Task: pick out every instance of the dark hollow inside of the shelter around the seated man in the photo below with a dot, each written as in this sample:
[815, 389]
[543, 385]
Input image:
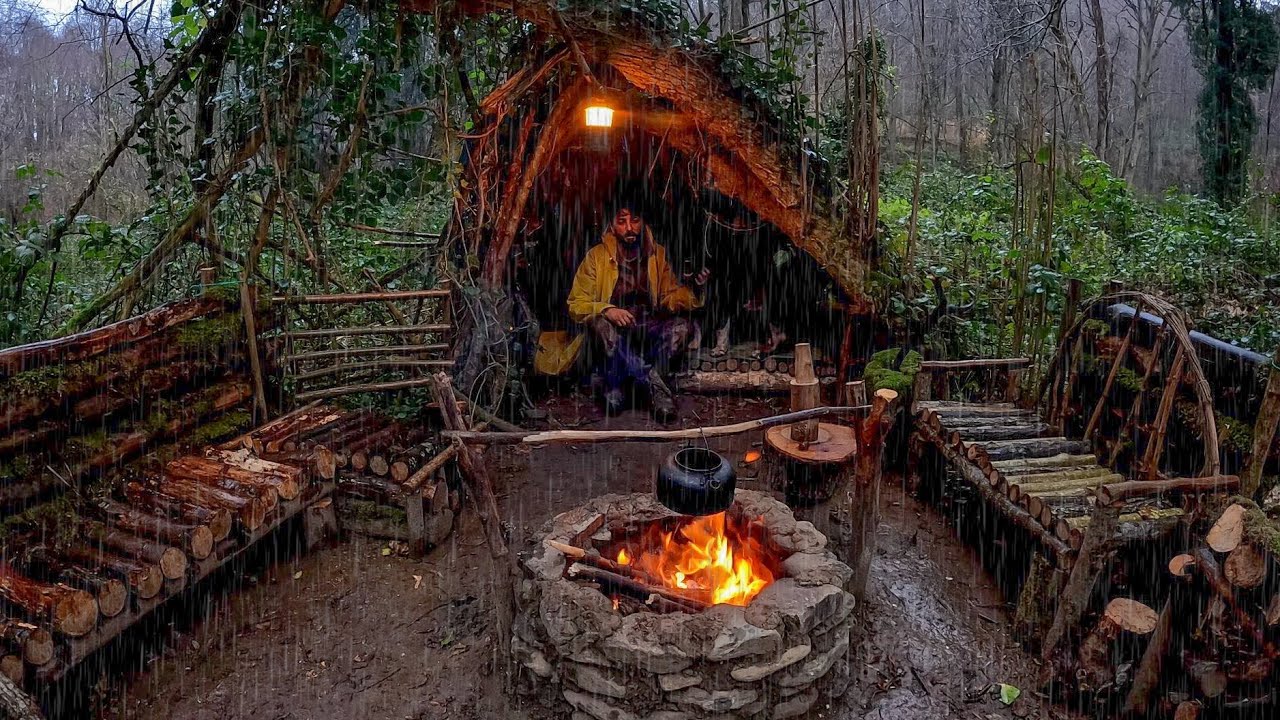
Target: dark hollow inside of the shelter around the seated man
[762, 288]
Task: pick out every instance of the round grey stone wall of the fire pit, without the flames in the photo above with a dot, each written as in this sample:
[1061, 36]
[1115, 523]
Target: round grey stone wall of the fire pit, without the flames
[775, 659]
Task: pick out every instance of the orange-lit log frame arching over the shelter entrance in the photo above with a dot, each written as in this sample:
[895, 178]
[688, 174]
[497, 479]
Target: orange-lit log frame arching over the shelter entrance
[710, 120]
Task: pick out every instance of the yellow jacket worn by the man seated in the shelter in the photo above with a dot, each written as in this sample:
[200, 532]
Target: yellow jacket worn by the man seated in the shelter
[593, 288]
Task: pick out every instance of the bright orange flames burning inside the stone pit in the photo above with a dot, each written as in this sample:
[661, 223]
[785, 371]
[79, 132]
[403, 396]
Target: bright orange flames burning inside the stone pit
[712, 558]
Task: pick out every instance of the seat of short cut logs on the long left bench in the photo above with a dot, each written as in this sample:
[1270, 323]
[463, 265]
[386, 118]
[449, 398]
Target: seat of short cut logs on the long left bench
[118, 553]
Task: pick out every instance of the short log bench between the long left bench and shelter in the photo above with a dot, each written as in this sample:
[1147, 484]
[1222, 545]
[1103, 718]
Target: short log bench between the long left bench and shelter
[388, 475]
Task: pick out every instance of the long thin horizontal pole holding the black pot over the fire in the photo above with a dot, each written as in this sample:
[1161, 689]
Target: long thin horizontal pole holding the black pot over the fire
[540, 438]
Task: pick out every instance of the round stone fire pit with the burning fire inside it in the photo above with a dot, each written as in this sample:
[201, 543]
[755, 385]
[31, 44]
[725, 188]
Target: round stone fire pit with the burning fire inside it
[630, 610]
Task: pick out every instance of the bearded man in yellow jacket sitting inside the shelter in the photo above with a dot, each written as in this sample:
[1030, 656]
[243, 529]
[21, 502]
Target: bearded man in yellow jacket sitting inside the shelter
[627, 299]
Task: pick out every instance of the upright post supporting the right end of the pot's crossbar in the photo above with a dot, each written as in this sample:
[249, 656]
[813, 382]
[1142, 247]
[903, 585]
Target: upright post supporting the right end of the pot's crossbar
[863, 496]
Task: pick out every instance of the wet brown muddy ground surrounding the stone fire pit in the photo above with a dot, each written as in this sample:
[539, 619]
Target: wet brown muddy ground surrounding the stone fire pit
[354, 632]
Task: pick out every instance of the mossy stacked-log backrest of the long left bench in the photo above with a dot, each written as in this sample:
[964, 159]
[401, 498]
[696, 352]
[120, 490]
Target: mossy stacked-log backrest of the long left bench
[72, 409]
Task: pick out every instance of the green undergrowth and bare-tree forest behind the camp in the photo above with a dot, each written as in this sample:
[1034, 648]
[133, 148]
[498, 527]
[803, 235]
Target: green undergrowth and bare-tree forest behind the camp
[1023, 143]
